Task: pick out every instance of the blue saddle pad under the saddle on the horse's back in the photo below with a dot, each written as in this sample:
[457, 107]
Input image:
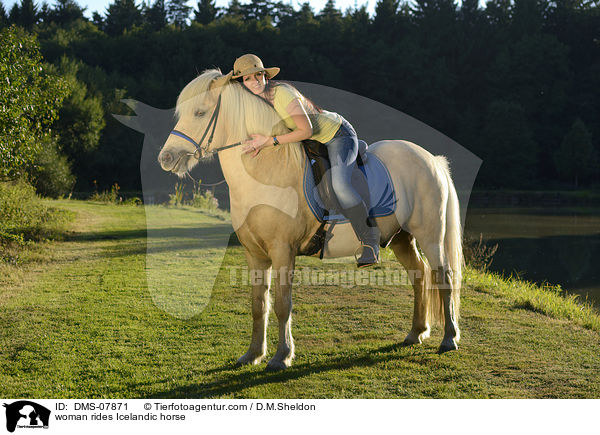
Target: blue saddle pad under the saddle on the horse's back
[380, 200]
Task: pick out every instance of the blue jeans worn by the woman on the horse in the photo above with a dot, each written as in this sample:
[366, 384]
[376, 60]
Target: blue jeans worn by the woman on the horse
[342, 150]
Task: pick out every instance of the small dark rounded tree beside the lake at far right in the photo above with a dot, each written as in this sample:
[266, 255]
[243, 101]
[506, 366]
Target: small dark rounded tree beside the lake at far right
[575, 160]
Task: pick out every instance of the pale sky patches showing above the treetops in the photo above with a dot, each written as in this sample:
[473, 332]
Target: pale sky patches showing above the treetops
[101, 5]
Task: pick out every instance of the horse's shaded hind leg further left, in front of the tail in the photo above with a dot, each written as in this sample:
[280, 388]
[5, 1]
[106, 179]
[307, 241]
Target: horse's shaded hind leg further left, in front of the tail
[404, 246]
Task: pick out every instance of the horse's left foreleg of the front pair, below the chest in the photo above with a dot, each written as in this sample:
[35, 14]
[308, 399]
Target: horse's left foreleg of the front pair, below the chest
[260, 277]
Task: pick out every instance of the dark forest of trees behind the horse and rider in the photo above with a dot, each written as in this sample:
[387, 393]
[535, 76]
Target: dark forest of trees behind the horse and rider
[514, 81]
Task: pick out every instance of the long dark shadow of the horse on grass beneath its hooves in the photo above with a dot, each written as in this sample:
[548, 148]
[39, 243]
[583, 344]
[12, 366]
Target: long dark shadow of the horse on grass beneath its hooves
[236, 380]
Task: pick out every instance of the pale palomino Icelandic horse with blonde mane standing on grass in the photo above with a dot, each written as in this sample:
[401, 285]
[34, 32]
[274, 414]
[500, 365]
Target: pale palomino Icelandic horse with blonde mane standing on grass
[274, 223]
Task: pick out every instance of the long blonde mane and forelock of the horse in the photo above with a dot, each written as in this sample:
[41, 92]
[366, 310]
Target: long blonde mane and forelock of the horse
[241, 114]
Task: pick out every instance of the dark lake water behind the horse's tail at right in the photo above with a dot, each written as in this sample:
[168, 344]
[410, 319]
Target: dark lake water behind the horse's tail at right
[552, 245]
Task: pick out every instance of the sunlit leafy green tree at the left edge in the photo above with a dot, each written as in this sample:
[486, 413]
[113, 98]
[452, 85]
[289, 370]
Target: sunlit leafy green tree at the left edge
[30, 99]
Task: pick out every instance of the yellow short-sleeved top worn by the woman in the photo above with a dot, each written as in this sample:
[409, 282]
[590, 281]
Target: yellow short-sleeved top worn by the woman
[325, 124]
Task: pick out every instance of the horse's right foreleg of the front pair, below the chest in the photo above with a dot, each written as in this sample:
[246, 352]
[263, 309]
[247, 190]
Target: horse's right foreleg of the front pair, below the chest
[283, 267]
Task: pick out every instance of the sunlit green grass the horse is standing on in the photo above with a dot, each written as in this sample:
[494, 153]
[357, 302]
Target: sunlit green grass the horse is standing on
[86, 324]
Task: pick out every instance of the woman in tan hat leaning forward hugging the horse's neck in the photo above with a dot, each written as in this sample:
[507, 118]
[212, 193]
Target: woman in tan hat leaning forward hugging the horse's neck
[307, 121]
